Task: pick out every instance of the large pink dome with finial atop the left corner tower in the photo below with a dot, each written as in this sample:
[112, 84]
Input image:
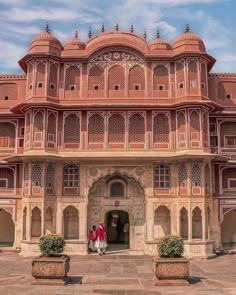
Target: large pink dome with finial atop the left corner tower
[45, 43]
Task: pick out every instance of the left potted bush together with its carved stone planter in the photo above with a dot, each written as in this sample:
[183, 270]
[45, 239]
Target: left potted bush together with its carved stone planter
[51, 267]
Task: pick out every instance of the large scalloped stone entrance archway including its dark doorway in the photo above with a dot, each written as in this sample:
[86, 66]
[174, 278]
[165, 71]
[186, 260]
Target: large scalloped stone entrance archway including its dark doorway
[118, 200]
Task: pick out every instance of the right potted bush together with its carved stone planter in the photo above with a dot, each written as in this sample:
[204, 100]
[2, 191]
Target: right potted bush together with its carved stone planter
[170, 268]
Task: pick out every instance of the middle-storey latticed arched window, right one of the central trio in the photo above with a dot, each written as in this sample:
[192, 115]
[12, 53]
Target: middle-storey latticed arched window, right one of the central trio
[136, 128]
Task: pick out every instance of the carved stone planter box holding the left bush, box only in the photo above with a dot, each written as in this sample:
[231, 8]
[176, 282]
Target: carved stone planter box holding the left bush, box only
[50, 270]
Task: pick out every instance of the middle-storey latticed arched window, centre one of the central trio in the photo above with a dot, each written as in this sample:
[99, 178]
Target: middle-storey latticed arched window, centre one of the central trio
[116, 129]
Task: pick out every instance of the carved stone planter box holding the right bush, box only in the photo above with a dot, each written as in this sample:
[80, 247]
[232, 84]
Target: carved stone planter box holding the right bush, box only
[170, 271]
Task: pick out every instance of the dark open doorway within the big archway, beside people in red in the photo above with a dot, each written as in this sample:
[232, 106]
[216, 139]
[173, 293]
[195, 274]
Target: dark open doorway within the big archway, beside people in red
[117, 225]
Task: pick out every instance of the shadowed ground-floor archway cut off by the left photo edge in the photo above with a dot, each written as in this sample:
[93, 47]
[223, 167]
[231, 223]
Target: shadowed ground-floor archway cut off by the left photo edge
[7, 229]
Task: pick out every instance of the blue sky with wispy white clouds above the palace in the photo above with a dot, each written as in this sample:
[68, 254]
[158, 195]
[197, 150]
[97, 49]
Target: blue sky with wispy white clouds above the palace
[213, 20]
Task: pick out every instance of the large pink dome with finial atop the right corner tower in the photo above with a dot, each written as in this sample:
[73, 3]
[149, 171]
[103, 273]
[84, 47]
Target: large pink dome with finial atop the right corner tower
[188, 41]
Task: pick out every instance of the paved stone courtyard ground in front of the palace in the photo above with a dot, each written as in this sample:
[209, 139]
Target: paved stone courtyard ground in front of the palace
[118, 275]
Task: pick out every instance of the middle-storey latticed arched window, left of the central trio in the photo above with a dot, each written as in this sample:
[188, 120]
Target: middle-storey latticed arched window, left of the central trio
[72, 129]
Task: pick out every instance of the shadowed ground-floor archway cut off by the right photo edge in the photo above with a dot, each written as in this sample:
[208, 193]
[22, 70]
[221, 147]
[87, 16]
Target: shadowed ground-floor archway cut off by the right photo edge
[228, 230]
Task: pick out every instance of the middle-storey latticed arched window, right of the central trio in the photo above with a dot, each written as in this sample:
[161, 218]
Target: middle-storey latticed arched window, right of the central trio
[161, 128]
